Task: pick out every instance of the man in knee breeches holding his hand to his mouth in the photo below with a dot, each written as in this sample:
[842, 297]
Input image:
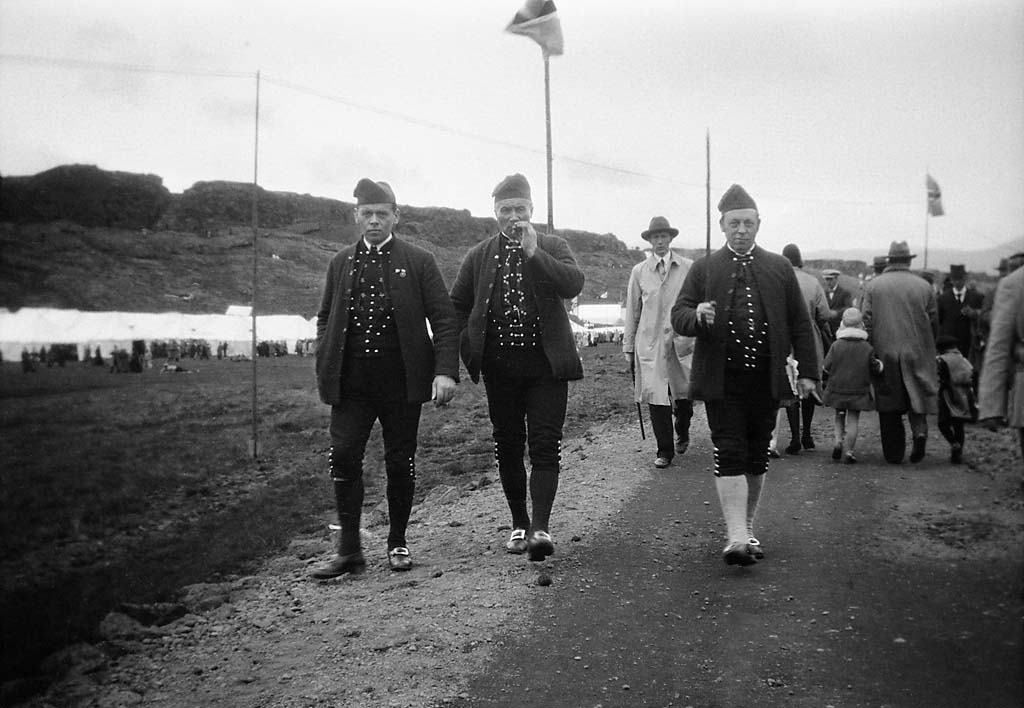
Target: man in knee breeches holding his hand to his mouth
[509, 298]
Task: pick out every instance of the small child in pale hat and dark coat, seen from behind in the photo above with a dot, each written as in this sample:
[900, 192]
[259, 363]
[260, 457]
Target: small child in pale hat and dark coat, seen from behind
[850, 364]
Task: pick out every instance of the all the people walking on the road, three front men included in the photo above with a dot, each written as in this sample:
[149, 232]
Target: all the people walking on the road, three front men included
[746, 331]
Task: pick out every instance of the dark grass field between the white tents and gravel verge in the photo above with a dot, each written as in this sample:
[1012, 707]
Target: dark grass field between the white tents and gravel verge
[121, 488]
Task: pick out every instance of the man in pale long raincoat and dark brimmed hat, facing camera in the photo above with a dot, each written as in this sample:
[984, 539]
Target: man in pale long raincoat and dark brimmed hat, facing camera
[659, 358]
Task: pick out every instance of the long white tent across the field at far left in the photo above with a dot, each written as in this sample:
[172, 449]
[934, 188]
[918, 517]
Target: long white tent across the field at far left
[32, 328]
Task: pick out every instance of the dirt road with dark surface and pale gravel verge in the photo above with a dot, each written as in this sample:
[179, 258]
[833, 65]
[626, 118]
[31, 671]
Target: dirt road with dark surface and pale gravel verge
[883, 587]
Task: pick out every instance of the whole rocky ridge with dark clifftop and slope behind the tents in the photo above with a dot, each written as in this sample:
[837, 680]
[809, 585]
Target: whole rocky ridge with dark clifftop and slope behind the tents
[77, 237]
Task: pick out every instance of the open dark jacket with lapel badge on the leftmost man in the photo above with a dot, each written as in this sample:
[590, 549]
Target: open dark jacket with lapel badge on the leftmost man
[418, 294]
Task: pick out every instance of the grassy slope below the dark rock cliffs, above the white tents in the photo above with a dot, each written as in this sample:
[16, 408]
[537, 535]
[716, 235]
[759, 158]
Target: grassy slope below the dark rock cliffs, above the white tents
[63, 265]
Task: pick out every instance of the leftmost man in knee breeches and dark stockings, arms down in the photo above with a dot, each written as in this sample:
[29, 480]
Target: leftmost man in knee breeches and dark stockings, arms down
[376, 361]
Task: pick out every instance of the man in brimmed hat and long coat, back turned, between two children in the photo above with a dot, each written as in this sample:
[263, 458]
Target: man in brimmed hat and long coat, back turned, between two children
[902, 320]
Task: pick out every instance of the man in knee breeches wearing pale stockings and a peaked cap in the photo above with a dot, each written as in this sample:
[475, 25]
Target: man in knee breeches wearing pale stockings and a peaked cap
[745, 307]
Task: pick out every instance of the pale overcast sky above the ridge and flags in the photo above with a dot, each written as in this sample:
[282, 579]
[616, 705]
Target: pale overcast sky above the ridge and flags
[829, 113]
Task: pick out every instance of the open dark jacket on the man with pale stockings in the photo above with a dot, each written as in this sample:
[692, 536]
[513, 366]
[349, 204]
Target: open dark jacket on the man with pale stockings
[712, 278]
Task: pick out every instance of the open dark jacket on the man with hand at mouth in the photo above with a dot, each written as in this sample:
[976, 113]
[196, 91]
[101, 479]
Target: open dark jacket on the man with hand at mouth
[551, 274]
